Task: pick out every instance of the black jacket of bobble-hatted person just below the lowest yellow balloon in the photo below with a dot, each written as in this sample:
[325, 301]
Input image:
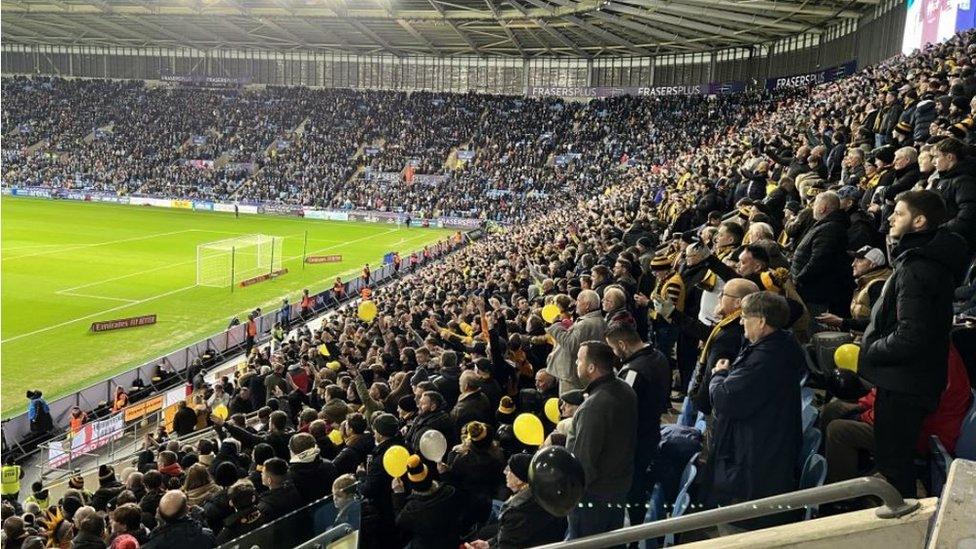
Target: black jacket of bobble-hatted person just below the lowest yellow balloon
[431, 520]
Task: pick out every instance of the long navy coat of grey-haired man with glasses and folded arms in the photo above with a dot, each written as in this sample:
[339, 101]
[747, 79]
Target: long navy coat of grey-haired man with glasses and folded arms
[757, 431]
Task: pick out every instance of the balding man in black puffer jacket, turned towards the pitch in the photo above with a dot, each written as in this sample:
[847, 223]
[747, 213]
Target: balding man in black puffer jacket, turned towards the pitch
[821, 266]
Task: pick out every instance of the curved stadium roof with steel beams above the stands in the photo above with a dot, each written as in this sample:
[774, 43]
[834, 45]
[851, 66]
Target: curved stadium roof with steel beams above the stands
[518, 28]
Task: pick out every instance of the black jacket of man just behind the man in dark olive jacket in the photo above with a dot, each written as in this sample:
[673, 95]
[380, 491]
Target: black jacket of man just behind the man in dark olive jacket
[648, 373]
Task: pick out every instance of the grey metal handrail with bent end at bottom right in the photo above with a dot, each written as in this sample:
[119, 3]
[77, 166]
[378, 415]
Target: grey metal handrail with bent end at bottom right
[894, 506]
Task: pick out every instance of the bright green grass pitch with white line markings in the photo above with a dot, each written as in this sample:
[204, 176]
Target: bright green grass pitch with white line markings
[66, 264]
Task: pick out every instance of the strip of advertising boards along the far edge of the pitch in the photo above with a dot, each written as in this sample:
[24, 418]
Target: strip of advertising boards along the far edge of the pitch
[250, 208]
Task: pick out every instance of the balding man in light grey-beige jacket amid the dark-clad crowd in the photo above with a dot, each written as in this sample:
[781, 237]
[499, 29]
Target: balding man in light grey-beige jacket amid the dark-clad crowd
[589, 326]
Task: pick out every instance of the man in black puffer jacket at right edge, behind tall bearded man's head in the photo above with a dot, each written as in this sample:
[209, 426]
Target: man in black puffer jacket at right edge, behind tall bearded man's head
[957, 185]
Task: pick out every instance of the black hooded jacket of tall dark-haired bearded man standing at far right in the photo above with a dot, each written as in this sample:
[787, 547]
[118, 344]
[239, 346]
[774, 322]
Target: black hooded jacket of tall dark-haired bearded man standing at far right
[905, 347]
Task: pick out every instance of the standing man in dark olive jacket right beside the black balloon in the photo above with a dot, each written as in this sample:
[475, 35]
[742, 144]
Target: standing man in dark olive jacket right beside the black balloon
[603, 439]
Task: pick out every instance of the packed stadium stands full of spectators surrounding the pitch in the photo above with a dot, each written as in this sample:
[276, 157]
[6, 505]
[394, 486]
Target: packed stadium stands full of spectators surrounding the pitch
[696, 251]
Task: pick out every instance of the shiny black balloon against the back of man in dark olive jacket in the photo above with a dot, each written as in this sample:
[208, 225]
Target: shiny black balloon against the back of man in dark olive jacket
[557, 480]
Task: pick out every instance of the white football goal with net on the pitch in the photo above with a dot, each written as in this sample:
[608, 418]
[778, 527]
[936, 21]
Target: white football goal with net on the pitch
[223, 263]
